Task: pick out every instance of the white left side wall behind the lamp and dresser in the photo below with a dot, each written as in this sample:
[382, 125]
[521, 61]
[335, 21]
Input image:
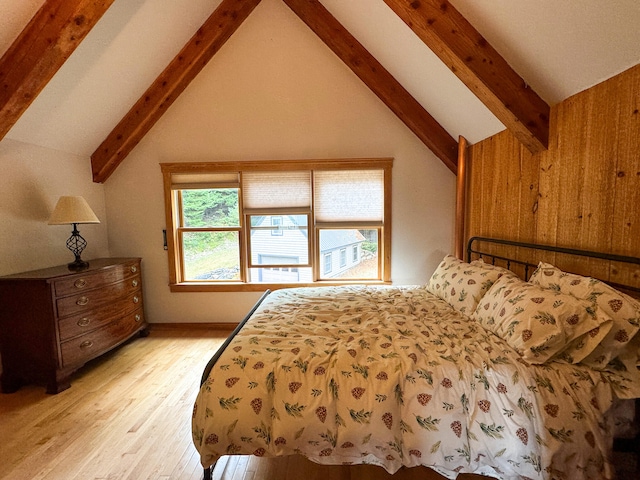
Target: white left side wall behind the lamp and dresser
[31, 181]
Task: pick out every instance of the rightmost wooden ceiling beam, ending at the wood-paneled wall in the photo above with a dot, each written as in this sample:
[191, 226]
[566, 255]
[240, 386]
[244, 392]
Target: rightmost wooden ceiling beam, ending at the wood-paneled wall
[452, 38]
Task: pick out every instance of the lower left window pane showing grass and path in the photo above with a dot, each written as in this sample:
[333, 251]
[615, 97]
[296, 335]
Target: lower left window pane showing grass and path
[211, 256]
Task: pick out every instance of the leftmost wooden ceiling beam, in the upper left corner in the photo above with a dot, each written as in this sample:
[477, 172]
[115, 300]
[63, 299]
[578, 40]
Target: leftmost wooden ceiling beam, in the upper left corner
[40, 50]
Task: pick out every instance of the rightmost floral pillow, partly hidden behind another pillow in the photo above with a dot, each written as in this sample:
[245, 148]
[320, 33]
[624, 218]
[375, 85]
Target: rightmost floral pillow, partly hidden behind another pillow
[621, 308]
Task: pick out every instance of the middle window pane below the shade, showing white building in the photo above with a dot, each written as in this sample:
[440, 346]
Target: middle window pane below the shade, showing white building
[279, 239]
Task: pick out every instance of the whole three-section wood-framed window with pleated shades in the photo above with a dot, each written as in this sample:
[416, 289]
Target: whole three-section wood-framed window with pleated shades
[256, 225]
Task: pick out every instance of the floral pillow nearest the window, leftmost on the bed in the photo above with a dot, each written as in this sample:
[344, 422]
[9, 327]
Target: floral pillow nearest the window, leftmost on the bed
[463, 284]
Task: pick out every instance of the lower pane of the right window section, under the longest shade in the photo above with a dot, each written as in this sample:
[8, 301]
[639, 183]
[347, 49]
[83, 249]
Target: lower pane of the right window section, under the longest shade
[361, 264]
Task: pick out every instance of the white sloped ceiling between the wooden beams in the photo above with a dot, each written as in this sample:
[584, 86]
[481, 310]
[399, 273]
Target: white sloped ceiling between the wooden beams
[559, 47]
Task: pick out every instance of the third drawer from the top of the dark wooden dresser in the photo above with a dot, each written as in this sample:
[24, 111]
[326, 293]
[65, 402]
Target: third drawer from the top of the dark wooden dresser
[84, 322]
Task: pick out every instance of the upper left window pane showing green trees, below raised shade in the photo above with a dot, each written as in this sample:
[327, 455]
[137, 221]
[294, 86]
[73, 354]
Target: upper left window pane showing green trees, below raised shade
[210, 207]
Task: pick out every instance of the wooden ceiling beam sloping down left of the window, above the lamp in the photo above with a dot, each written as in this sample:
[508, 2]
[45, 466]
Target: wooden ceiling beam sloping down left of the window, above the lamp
[207, 41]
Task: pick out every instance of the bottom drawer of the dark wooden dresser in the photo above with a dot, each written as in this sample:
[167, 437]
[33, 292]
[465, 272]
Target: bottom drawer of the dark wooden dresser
[92, 344]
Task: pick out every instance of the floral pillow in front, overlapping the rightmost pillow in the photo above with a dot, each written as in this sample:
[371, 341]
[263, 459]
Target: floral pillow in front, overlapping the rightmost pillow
[538, 323]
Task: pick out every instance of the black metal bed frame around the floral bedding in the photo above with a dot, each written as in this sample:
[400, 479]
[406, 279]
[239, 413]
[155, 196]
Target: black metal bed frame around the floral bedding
[493, 251]
